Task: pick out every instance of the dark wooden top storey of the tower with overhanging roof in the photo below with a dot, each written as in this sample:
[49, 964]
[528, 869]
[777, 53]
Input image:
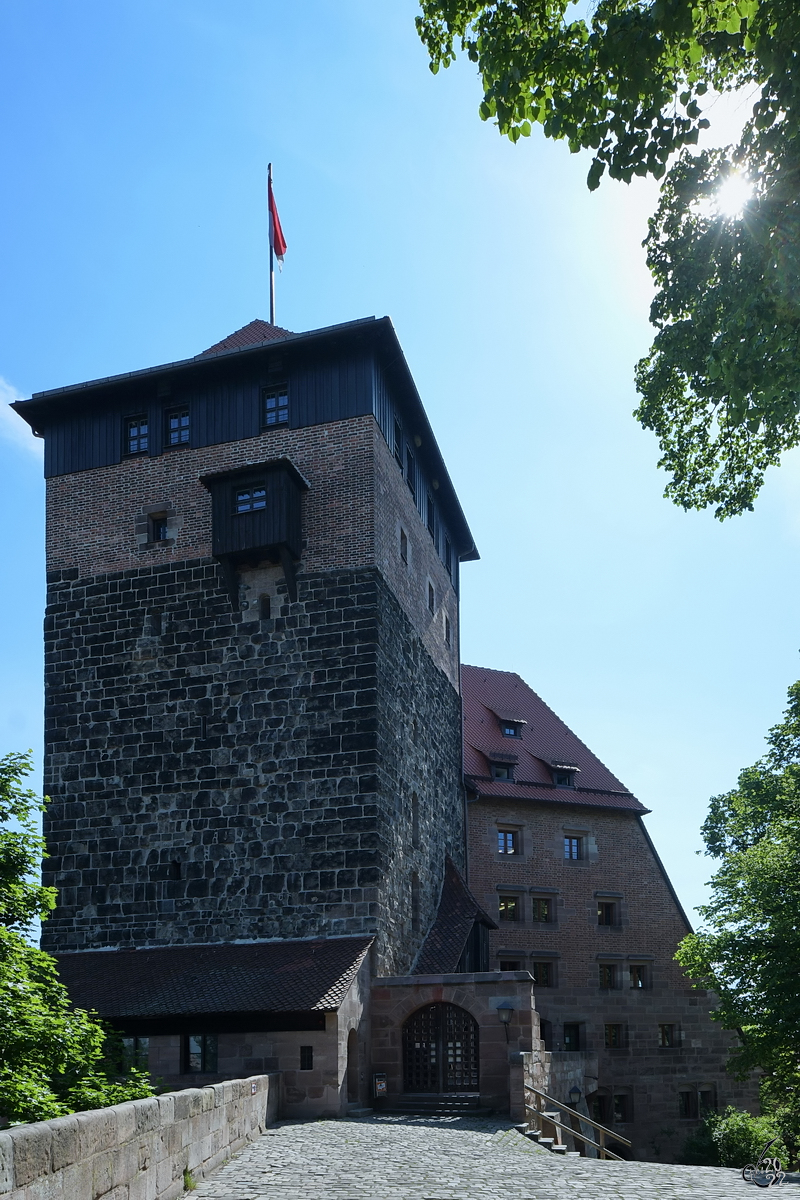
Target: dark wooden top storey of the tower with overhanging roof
[256, 380]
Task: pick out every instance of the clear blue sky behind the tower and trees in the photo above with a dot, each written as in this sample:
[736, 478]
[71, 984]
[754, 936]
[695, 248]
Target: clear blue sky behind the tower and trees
[134, 146]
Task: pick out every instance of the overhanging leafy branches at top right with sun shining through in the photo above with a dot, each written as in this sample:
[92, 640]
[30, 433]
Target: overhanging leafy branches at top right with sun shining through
[631, 85]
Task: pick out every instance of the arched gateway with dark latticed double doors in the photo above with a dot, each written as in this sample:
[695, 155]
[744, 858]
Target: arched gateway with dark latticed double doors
[441, 1051]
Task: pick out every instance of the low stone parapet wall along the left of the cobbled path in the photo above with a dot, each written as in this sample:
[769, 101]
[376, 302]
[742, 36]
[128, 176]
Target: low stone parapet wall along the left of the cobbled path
[139, 1150]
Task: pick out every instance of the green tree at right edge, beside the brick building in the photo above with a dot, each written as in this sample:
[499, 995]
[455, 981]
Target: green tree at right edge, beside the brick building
[749, 950]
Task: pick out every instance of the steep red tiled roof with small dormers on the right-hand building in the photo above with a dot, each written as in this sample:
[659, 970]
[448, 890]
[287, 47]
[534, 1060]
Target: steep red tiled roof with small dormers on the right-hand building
[545, 741]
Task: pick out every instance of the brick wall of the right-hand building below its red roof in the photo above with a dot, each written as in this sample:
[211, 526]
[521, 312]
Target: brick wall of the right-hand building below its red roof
[619, 861]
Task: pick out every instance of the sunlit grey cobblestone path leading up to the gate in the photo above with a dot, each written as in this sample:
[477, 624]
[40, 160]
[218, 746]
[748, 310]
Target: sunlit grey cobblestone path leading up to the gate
[449, 1159]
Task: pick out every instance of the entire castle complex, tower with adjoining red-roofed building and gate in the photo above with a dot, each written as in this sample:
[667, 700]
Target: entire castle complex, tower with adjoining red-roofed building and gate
[272, 847]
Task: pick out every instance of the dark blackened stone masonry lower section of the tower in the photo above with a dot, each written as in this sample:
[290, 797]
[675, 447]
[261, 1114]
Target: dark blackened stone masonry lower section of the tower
[218, 777]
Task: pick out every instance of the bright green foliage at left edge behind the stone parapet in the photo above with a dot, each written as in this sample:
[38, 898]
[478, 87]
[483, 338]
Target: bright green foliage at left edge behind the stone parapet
[53, 1059]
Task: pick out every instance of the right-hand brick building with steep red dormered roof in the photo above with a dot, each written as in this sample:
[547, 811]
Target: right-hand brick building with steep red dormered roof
[560, 857]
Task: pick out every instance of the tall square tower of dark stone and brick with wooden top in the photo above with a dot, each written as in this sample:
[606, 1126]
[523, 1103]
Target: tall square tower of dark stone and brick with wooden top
[252, 710]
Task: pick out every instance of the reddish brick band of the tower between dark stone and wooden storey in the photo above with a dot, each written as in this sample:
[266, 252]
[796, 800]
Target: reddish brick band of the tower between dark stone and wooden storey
[352, 515]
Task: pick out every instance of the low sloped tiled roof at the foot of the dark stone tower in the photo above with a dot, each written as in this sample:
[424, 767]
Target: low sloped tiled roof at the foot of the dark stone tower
[267, 977]
